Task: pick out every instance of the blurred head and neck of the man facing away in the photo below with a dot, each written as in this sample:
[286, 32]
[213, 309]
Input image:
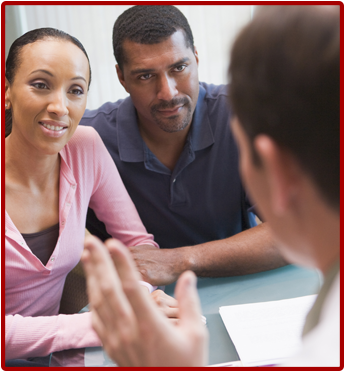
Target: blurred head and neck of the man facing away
[284, 91]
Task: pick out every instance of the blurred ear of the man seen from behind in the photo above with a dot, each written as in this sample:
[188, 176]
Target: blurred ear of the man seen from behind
[282, 172]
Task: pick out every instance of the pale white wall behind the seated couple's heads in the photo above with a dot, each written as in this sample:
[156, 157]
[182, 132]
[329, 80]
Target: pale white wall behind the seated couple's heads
[214, 28]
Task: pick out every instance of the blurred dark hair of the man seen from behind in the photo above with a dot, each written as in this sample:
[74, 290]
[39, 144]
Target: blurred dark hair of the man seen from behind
[285, 83]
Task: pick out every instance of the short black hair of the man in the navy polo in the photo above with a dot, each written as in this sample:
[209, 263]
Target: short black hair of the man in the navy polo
[148, 24]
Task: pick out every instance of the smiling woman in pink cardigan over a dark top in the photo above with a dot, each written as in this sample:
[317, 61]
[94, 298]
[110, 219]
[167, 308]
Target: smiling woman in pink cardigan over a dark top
[54, 171]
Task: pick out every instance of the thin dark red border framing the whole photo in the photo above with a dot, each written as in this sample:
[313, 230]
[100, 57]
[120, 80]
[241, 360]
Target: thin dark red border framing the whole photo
[3, 4]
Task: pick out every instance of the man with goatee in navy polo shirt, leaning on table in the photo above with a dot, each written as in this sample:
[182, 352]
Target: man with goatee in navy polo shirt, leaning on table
[173, 147]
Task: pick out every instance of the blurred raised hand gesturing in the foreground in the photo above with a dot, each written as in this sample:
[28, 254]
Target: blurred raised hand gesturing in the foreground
[133, 330]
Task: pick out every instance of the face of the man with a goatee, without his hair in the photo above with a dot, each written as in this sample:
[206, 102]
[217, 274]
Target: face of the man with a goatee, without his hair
[163, 82]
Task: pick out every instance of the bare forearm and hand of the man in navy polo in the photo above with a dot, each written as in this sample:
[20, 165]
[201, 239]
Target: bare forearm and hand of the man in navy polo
[248, 252]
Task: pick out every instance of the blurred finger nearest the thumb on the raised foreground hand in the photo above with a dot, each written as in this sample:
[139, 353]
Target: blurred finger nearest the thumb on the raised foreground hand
[141, 303]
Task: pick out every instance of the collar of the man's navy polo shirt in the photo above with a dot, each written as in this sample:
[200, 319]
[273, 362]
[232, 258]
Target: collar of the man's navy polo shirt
[131, 144]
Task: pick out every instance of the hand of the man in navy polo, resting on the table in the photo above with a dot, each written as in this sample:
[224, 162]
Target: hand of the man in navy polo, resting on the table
[158, 266]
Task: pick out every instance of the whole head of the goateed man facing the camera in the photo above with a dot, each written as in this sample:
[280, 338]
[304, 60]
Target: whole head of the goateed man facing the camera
[157, 64]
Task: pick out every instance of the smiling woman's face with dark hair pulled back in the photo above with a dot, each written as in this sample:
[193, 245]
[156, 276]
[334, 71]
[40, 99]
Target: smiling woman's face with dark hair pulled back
[48, 94]
